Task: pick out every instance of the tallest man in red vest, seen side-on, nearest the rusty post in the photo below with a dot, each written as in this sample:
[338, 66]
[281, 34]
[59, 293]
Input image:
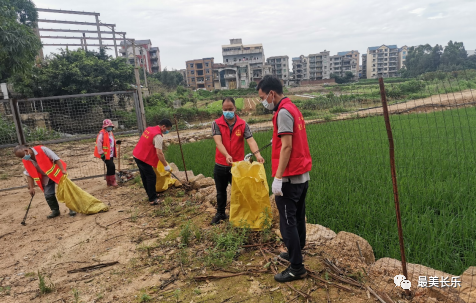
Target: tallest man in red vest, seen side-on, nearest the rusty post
[291, 163]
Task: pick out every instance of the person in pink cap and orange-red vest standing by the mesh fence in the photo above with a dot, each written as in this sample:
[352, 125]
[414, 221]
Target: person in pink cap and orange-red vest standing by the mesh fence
[106, 150]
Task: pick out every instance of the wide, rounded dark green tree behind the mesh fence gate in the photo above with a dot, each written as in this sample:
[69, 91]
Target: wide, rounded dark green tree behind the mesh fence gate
[75, 72]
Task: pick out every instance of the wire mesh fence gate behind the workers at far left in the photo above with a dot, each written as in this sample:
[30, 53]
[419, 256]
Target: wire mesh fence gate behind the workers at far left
[68, 125]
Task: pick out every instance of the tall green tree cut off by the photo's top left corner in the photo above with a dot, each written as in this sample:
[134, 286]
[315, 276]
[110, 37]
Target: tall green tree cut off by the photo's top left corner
[19, 44]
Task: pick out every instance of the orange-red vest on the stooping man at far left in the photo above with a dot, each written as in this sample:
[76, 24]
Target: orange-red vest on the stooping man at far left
[51, 169]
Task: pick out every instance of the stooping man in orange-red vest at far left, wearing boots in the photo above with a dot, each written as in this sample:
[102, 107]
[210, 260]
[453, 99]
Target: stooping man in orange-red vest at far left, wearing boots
[44, 168]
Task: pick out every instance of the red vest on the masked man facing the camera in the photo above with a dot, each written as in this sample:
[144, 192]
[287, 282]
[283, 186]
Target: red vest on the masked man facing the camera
[234, 144]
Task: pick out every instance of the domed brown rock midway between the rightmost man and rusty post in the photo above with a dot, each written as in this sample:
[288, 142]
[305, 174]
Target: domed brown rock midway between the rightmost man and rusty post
[344, 246]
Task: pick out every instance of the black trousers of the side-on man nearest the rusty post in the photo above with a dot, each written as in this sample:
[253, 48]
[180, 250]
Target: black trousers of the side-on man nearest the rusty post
[292, 219]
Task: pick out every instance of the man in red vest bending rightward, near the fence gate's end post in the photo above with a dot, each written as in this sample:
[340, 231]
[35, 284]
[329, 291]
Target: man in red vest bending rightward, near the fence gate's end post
[148, 153]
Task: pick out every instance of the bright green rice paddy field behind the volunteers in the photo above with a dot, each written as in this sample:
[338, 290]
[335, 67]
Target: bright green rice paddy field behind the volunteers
[351, 188]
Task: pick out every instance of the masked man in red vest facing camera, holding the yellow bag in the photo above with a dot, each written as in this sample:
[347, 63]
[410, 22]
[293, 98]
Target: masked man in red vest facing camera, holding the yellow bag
[229, 132]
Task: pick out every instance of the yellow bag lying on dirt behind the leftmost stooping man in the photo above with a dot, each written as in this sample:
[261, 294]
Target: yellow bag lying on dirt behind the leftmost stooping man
[77, 199]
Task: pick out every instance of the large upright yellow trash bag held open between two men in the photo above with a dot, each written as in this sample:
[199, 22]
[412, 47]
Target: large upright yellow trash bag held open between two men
[249, 204]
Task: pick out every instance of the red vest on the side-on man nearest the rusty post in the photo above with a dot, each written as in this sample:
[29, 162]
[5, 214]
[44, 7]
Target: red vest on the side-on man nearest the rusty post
[300, 161]
